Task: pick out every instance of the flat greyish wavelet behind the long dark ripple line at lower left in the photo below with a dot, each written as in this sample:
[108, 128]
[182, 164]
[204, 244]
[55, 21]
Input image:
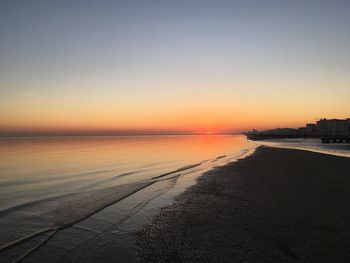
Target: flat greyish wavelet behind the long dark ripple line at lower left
[57, 213]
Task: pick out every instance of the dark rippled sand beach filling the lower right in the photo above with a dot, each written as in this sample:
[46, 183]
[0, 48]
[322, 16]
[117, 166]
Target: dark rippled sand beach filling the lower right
[278, 205]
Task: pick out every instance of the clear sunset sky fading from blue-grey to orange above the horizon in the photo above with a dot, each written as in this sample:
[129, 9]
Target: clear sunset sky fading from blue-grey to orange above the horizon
[172, 66]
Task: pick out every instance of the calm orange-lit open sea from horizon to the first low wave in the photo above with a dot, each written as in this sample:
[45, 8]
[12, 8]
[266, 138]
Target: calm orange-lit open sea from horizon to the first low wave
[33, 169]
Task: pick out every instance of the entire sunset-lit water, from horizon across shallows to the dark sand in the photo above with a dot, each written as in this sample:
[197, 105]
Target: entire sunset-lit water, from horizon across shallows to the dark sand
[67, 190]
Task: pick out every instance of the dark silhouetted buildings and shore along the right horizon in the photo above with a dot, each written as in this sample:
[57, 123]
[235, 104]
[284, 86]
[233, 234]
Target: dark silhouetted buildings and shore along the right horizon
[329, 131]
